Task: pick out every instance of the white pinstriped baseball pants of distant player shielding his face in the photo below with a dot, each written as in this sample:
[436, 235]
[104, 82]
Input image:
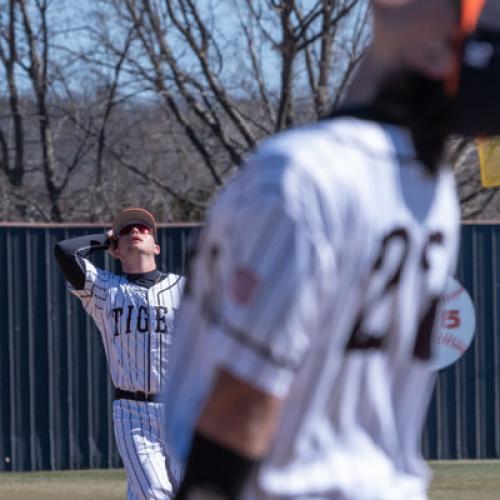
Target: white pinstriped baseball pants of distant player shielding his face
[151, 473]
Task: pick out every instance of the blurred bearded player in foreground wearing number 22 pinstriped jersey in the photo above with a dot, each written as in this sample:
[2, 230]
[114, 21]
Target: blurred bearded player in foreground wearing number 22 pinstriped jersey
[299, 367]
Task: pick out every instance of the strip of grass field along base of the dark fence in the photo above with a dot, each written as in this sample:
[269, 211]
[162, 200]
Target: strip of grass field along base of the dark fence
[454, 480]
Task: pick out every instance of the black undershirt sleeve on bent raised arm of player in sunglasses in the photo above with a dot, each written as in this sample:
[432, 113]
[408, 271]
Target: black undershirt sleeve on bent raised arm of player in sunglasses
[70, 254]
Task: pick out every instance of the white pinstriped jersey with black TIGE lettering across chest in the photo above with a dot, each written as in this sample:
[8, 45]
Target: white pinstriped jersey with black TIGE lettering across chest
[135, 324]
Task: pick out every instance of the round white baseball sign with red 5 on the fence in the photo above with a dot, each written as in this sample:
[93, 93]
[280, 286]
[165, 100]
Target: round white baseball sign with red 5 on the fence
[457, 325]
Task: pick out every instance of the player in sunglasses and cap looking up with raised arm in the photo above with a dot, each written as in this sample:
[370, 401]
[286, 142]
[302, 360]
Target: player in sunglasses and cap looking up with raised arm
[134, 313]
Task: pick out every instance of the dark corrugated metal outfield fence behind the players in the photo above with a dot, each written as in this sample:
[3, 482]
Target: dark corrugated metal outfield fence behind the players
[55, 393]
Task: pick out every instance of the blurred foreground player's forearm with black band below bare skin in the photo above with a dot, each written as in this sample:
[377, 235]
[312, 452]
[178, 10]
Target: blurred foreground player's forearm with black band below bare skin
[233, 434]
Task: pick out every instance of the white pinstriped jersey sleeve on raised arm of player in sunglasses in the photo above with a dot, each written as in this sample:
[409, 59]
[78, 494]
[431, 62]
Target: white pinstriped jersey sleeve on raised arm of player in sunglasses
[95, 291]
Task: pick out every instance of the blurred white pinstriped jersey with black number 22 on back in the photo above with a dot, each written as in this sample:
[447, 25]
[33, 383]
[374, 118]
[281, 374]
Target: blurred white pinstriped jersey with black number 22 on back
[316, 279]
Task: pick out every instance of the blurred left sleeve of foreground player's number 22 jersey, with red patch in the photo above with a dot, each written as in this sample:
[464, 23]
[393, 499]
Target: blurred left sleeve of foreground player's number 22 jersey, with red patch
[265, 277]
